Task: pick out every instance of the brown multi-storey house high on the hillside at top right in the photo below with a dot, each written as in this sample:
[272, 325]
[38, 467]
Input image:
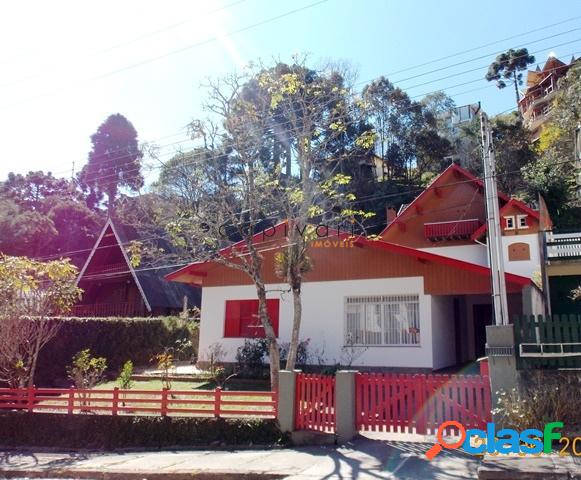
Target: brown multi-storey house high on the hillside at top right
[542, 85]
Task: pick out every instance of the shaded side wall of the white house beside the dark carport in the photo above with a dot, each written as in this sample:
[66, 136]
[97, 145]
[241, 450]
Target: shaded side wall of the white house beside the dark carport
[443, 340]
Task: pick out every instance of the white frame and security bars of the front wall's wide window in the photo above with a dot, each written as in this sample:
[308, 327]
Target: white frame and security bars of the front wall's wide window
[386, 304]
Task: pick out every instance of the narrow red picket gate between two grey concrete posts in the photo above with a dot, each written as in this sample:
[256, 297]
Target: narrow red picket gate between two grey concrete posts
[315, 402]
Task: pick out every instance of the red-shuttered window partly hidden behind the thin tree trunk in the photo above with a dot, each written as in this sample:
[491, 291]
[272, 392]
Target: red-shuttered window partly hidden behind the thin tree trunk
[241, 319]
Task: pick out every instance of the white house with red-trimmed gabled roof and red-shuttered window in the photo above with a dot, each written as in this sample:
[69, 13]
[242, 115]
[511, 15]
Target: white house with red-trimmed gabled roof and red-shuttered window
[418, 298]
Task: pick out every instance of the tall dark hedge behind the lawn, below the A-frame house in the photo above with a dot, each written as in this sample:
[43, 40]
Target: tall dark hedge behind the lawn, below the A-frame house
[116, 339]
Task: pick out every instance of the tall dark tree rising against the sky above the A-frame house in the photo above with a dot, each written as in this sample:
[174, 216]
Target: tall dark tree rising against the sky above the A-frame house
[114, 161]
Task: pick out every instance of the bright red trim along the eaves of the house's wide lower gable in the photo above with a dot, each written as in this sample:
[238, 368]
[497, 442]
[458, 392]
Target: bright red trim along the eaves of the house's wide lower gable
[200, 269]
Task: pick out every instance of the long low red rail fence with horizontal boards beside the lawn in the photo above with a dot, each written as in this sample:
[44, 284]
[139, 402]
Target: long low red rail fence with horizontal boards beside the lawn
[206, 403]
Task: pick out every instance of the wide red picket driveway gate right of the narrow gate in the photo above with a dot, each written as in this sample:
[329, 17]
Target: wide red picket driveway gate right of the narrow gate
[401, 402]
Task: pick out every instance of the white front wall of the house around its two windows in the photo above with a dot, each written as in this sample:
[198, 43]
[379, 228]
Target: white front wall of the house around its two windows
[323, 319]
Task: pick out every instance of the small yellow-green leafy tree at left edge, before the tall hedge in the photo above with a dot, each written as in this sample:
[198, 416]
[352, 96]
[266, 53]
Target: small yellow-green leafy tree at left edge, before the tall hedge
[30, 294]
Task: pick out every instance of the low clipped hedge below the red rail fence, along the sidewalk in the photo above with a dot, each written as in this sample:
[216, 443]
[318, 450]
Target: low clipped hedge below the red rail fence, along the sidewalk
[106, 432]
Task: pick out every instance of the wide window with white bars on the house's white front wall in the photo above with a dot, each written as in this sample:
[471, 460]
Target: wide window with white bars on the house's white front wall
[382, 320]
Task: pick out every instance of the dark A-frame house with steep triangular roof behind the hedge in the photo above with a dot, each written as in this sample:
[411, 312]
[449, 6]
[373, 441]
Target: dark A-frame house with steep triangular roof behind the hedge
[112, 286]
